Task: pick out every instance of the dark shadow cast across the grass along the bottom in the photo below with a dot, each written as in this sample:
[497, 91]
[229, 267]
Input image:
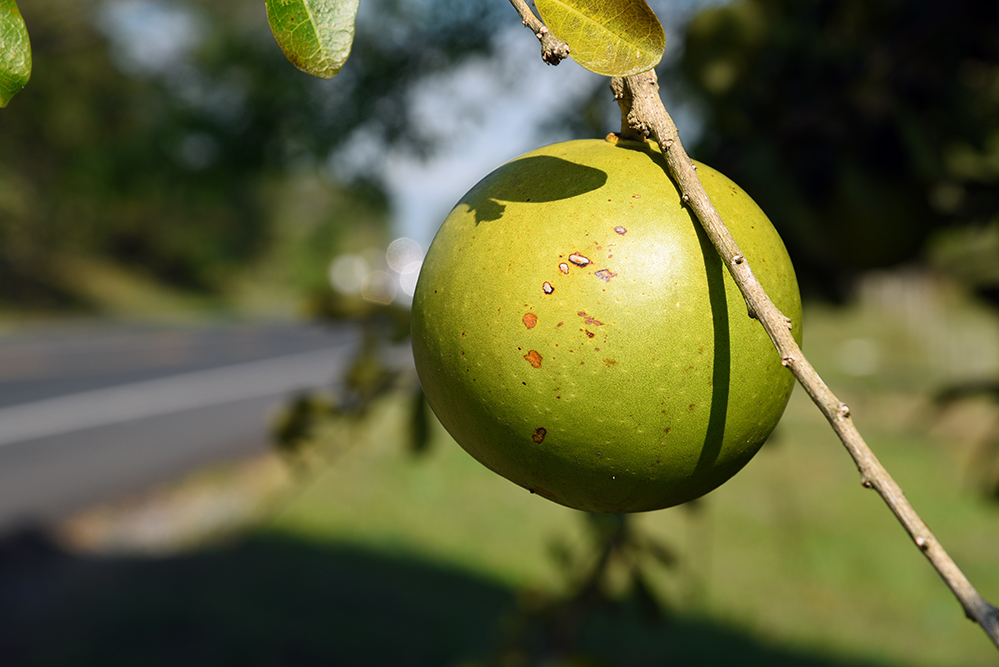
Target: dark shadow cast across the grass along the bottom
[275, 600]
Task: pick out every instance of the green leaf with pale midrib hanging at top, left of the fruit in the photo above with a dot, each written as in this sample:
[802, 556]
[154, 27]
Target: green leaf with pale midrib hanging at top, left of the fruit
[315, 35]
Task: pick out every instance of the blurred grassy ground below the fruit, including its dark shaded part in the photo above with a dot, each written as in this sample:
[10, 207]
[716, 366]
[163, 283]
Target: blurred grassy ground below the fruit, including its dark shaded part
[383, 558]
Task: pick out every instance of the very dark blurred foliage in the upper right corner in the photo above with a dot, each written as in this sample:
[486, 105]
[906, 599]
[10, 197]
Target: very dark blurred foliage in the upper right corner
[860, 126]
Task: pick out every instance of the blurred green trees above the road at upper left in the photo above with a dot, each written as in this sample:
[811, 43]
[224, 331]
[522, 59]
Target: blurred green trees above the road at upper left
[169, 156]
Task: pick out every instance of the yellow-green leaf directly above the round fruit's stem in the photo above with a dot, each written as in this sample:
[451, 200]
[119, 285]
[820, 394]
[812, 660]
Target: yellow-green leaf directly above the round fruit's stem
[609, 37]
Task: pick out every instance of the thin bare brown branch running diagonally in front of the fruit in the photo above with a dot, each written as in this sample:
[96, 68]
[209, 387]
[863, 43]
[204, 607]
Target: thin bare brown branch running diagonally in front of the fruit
[643, 115]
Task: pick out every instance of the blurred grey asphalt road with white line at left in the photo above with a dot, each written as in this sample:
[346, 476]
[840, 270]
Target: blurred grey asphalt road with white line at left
[95, 412]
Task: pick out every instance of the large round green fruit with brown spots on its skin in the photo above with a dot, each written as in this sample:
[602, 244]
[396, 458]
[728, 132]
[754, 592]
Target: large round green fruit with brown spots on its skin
[575, 331]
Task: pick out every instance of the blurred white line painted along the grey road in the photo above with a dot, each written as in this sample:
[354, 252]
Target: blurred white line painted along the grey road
[176, 393]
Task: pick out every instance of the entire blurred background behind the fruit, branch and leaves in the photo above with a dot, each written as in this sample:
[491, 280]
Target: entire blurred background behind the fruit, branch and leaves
[213, 449]
